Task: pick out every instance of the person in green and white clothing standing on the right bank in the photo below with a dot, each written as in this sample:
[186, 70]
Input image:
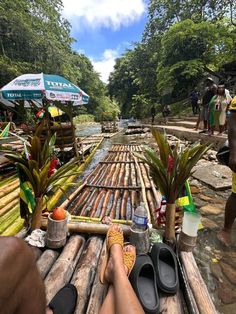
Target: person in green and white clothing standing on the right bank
[218, 107]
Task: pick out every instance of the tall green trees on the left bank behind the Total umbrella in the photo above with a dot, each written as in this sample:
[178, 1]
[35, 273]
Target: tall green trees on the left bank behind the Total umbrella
[34, 38]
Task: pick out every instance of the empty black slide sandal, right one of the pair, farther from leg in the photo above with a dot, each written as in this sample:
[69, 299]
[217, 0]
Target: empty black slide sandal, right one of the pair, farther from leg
[165, 264]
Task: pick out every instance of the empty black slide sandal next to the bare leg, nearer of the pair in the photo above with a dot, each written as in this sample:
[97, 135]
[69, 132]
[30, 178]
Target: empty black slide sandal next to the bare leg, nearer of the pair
[143, 281]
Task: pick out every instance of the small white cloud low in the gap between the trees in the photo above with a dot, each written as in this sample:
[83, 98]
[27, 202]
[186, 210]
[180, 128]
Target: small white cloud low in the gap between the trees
[105, 65]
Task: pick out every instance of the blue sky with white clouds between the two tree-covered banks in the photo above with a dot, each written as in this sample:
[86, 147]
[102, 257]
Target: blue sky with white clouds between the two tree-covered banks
[104, 29]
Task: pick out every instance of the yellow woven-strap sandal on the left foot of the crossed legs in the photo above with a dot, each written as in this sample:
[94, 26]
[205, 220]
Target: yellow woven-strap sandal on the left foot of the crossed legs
[113, 237]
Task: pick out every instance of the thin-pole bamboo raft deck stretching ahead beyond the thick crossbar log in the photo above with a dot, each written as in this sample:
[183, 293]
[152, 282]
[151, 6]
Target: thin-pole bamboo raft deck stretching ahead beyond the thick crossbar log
[117, 185]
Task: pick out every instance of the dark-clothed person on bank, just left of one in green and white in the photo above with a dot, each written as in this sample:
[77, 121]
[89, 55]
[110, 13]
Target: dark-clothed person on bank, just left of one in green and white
[209, 93]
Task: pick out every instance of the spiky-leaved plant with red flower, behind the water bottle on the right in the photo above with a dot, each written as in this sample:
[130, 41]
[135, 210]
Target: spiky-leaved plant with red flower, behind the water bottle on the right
[170, 169]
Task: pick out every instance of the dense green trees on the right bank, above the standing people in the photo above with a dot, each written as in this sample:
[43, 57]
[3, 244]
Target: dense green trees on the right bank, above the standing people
[183, 42]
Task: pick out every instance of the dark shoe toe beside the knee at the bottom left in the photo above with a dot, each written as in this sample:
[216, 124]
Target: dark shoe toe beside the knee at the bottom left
[64, 302]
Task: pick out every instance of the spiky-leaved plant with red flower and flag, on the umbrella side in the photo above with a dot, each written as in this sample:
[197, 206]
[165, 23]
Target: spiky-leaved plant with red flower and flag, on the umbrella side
[38, 175]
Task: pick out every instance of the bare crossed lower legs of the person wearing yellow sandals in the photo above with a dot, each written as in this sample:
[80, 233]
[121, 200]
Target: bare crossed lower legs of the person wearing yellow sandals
[121, 297]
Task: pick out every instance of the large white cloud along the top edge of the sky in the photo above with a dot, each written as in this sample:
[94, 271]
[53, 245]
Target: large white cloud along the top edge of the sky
[108, 13]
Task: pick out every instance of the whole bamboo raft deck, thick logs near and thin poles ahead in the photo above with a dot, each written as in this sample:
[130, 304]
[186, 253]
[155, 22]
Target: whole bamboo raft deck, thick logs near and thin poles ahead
[115, 187]
